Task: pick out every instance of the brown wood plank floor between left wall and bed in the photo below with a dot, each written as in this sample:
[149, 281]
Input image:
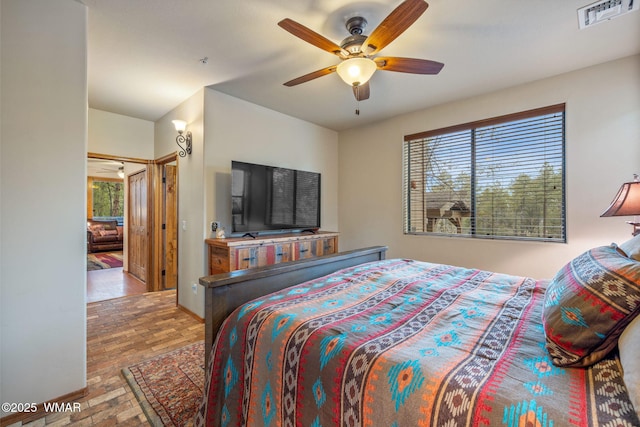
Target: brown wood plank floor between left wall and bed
[121, 332]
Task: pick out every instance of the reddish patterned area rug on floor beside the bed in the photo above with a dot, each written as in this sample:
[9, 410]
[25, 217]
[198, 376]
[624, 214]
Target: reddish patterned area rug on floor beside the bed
[169, 387]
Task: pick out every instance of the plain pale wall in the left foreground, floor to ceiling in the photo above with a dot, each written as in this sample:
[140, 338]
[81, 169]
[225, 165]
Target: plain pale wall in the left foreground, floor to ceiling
[42, 217]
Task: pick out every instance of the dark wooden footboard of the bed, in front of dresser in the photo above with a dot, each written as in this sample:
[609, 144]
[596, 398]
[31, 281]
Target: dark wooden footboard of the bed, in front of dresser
[224, 292]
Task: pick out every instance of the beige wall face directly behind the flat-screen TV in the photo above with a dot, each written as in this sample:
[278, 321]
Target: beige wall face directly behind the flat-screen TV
[238, 130]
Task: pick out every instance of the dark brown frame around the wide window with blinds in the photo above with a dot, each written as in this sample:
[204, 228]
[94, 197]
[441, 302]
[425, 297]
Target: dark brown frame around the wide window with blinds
[474, 175]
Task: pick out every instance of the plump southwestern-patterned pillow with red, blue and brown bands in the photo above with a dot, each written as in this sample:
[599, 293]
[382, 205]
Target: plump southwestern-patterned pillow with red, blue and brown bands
[588, 304]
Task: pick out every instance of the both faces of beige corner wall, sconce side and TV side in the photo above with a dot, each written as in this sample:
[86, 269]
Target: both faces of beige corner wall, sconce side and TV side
[225, 128]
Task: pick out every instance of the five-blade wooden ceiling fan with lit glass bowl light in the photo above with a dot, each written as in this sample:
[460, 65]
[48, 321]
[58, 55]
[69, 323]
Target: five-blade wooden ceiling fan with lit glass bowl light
[358, 51]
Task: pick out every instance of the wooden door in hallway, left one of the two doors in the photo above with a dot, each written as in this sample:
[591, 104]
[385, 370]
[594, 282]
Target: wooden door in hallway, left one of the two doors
[138, 235]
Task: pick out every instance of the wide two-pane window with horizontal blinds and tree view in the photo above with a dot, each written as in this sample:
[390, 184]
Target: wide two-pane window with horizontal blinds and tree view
[496, 178]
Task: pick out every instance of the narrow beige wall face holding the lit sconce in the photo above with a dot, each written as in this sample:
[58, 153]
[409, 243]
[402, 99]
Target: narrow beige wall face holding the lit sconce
[190, 197]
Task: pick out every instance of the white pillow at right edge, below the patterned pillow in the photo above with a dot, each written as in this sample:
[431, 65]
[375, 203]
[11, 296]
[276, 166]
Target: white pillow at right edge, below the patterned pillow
[629, 347]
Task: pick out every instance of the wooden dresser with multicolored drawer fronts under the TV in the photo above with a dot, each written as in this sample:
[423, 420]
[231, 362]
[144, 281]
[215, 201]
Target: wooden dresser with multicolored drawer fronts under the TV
[239, 253]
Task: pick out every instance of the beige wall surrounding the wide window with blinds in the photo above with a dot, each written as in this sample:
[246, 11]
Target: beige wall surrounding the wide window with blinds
[602, 152]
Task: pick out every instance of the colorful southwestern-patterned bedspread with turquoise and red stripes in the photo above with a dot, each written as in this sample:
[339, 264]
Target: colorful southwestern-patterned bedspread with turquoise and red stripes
[403, 343]
